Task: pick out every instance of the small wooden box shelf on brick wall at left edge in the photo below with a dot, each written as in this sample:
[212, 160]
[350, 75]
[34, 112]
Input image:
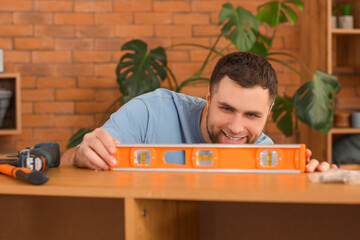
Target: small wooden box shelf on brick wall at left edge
[11, 123]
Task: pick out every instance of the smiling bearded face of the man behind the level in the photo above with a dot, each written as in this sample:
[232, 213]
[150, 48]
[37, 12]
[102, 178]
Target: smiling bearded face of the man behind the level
[236, 114]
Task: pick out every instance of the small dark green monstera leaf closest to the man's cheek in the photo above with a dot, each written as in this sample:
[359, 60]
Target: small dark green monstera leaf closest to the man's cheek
[282, 113]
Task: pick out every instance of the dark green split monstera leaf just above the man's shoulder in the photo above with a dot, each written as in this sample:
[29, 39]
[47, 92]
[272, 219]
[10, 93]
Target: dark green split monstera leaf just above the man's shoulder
[140, 71]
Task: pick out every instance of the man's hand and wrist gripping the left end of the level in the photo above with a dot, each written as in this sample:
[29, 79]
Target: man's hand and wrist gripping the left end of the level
[94, 152]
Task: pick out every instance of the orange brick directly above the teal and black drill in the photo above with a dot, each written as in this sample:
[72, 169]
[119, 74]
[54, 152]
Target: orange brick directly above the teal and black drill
[49, 134]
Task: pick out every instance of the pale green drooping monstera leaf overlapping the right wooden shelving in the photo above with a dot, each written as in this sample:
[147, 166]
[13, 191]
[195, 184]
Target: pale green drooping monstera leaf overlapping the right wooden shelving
[315, 102]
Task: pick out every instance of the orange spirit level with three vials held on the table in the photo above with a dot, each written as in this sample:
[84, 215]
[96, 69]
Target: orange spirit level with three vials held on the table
[279, 158]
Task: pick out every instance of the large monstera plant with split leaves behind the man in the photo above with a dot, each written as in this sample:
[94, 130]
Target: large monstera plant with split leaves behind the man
[313, 103]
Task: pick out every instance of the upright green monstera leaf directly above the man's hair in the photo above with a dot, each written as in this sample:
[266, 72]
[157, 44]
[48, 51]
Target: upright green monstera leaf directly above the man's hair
[239, 26]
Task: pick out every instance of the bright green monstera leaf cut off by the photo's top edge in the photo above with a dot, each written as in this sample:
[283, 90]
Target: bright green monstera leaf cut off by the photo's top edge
[274, 13]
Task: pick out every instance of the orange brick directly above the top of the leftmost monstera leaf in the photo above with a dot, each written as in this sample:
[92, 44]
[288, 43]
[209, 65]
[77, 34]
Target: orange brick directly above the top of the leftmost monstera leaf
[134, 31]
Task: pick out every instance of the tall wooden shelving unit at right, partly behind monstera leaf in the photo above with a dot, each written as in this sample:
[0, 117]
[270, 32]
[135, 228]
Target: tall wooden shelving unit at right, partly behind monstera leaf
[335, 51]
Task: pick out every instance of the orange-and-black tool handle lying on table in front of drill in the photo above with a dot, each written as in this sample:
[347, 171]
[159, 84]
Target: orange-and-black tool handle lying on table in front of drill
[25, 174]
